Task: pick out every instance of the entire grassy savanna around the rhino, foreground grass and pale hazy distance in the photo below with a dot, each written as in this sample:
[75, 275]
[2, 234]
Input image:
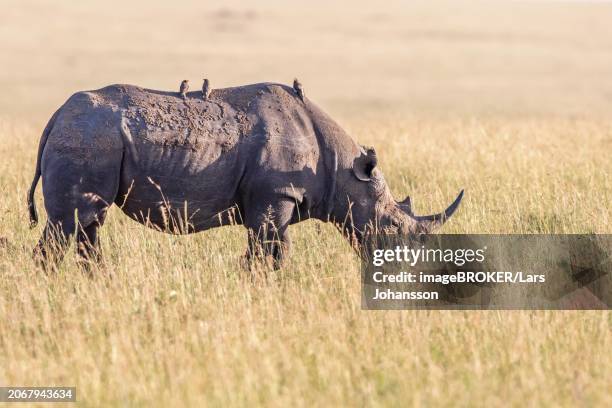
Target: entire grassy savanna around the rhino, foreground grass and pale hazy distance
[170, 320]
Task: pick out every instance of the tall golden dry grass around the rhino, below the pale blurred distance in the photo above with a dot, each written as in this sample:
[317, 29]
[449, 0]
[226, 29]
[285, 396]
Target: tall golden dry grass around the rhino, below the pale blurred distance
[172, 317]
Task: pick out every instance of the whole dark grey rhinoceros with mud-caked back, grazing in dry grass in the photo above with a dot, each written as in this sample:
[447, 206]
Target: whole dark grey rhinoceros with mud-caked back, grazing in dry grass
[254, 155]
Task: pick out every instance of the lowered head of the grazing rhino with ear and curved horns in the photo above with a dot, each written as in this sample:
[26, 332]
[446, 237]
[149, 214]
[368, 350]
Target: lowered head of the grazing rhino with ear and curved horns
[372, 209]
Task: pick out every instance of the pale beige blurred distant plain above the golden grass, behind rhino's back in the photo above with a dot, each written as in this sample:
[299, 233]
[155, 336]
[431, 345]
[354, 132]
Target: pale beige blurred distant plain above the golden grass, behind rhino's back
[474, 57]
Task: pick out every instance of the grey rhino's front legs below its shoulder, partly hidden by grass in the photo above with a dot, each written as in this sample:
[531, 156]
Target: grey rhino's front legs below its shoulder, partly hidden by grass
[267, 226]
